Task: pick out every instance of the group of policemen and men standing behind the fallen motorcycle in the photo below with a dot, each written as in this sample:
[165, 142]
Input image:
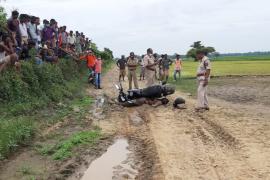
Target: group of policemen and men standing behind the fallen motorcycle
[151, 67]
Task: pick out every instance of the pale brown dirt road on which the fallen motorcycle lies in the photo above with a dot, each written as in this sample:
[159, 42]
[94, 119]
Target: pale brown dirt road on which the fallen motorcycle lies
[229, 142]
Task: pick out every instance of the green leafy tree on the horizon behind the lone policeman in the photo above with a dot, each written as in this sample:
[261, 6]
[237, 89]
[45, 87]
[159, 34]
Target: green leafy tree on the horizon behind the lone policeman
[198, 46]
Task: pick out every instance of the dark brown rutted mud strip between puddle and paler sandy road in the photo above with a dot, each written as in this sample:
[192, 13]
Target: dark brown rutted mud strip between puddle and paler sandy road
[132, 124]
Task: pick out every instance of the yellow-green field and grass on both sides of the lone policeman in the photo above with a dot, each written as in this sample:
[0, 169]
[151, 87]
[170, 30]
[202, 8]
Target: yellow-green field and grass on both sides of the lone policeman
[223, 66]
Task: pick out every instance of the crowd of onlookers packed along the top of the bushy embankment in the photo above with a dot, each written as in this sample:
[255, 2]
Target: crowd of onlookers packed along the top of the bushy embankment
[47, 42]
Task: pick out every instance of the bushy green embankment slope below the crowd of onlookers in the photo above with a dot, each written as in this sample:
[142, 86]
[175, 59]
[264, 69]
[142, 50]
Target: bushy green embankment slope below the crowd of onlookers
[38, 97]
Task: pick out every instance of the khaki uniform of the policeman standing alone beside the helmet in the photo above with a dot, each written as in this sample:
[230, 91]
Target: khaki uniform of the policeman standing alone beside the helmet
[202, 99]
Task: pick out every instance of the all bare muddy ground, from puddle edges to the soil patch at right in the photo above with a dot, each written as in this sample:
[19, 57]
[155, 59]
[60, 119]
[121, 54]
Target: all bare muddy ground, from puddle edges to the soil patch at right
[231, 141]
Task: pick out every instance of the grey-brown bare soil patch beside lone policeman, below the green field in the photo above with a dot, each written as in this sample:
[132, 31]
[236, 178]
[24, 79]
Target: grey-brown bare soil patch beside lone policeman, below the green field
[244, 90]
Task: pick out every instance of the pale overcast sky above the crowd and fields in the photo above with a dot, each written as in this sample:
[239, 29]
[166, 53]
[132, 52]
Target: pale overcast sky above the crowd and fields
[168, 26]
